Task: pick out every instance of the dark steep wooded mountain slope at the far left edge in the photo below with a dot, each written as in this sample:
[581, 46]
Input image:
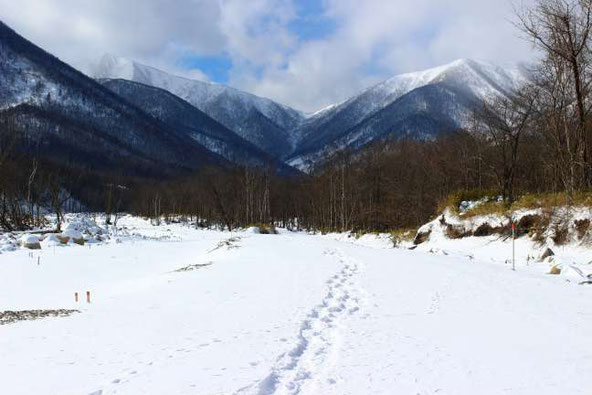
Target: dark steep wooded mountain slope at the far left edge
[60, 114]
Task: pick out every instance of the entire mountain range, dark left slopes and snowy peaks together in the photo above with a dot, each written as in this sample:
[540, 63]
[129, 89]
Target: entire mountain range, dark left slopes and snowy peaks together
[60, 107]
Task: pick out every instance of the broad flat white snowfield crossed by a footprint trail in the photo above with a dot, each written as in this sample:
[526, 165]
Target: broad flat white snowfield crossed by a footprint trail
[176, 310]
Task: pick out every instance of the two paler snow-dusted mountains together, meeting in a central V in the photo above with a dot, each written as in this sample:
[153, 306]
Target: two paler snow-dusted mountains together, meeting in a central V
[418, 105]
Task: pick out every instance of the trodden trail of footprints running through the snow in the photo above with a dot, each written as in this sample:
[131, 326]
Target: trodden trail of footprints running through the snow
[303, 365]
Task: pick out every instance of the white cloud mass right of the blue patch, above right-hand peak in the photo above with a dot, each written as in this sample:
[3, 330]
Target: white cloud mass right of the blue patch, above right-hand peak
[377, 39]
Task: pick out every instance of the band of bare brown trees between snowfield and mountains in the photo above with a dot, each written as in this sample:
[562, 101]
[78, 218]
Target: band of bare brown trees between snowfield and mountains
[386, 186]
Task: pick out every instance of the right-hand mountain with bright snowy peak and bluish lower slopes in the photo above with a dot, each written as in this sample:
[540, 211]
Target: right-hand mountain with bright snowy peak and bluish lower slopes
[415, 104]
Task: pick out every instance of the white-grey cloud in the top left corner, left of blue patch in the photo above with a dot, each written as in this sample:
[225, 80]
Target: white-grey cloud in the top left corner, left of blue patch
[155, 31]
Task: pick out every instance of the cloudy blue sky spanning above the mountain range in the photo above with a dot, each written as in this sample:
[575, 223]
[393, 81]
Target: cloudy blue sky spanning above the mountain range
[304, 53]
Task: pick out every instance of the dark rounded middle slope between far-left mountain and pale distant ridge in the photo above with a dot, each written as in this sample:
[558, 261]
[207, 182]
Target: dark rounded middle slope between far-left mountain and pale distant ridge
[186, 120]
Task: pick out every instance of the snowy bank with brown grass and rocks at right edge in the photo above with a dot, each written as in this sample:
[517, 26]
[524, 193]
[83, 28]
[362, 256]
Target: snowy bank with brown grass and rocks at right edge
[556, 241]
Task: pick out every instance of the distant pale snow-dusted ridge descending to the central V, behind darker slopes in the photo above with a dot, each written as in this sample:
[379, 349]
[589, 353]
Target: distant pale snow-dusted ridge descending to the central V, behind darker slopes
[261, 121]
